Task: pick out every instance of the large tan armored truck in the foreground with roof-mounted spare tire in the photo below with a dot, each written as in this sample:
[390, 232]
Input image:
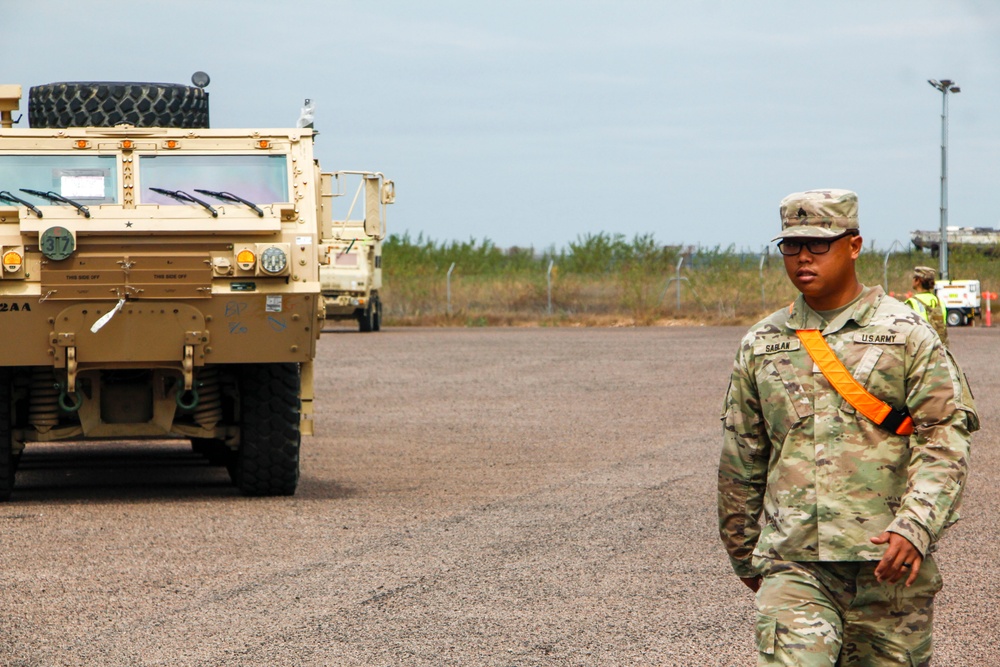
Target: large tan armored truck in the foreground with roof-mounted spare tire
[159, 278]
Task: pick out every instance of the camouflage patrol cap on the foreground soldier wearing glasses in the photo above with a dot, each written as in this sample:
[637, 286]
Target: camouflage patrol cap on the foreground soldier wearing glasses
[820, 214]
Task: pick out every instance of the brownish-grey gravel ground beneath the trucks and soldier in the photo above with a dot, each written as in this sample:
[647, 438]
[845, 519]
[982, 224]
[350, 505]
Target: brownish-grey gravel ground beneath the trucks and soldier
[473, 497]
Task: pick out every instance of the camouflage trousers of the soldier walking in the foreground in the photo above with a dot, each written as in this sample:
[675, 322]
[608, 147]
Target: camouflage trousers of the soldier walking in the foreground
[836, 614]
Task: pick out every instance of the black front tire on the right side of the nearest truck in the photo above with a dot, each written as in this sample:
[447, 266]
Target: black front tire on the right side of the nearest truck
[267, 461]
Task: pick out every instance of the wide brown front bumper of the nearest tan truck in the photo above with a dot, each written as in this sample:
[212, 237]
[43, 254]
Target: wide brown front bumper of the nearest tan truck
[225, 328]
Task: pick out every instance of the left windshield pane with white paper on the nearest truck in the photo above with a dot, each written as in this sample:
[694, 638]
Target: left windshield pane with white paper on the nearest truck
[88, 179]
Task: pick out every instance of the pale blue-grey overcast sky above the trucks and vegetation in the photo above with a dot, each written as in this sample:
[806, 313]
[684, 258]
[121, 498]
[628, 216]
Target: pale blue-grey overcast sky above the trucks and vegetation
[534, 123]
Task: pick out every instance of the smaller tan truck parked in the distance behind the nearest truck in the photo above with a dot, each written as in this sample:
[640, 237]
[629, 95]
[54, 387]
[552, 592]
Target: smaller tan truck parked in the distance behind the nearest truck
[350, 269]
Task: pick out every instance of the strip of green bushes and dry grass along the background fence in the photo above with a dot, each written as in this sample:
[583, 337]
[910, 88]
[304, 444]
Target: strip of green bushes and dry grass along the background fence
[609, 279]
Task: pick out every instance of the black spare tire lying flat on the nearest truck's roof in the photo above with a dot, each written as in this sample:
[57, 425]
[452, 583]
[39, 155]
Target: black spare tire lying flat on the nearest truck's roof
[108, 103]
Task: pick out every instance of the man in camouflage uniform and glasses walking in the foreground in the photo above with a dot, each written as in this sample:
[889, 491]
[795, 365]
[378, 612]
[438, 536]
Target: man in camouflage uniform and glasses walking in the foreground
[830, 518]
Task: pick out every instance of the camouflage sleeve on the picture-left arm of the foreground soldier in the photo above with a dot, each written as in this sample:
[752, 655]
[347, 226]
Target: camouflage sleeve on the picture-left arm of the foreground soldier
[743, 465]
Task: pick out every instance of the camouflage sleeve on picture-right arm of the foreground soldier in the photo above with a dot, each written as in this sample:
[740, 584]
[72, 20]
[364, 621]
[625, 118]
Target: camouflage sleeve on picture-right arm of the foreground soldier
[944, 416]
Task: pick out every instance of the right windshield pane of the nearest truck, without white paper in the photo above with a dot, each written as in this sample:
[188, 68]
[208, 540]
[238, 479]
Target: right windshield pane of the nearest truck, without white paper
[261, 179]
